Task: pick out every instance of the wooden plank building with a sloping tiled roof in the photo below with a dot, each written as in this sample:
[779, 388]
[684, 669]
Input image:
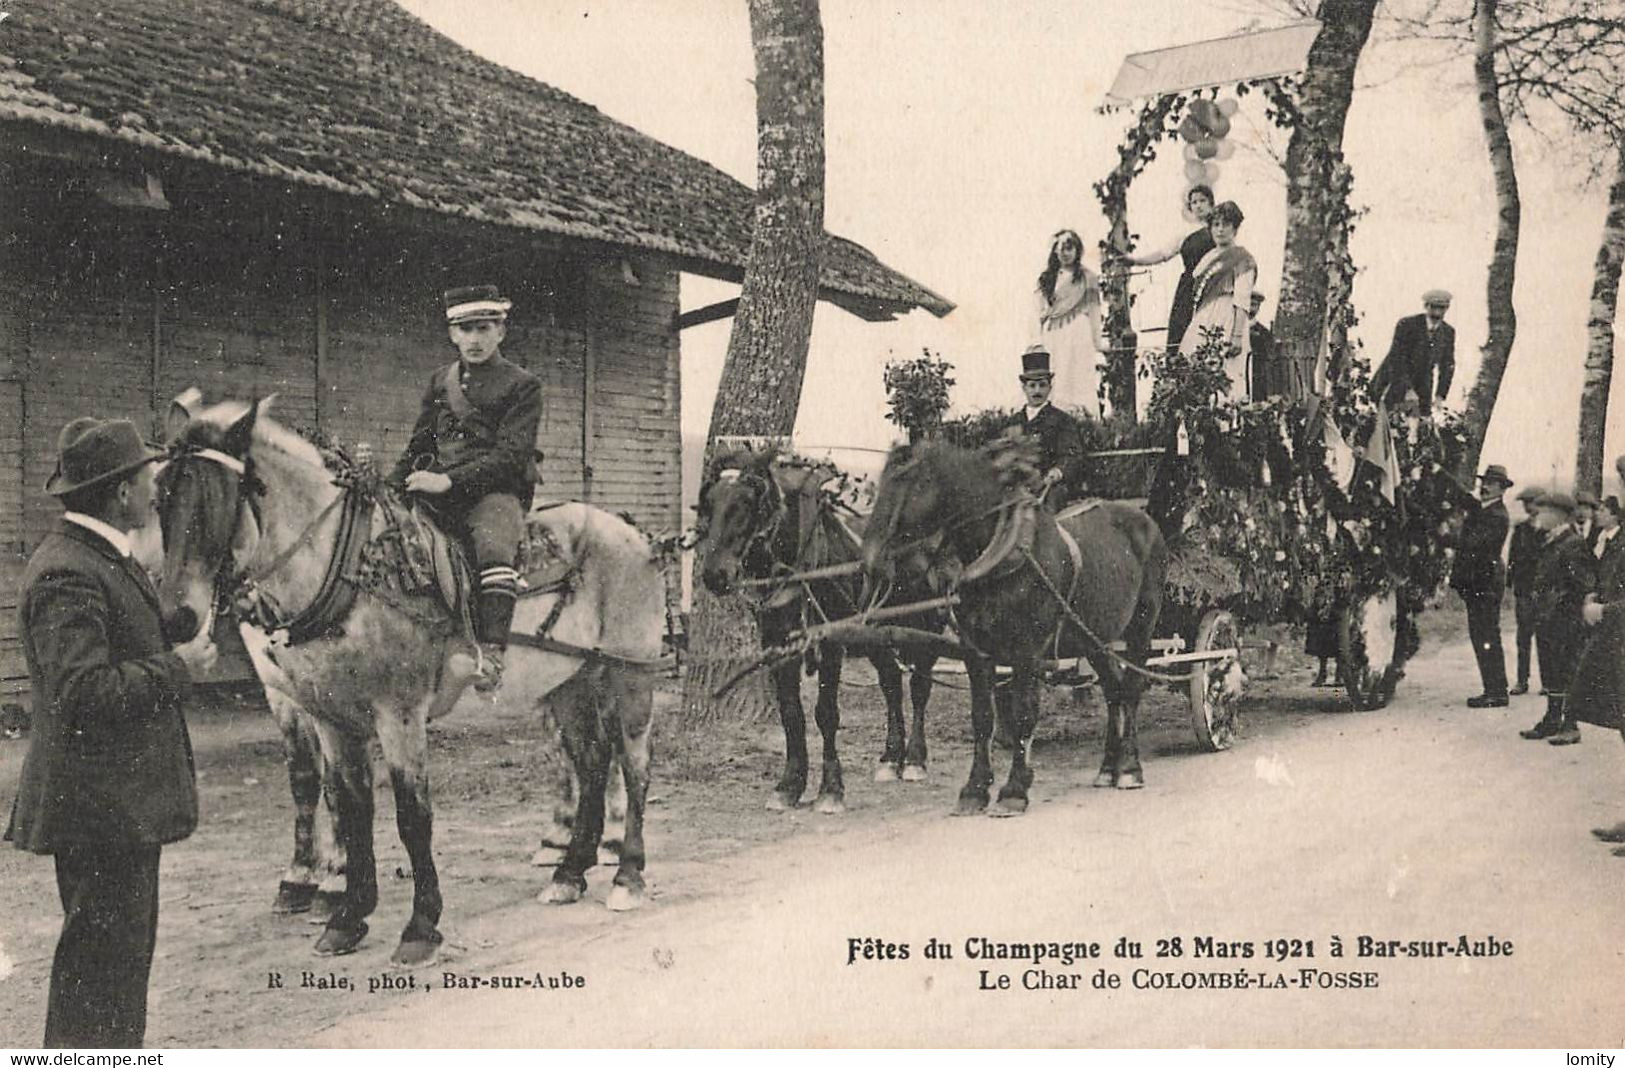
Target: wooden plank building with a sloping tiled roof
[269, 196]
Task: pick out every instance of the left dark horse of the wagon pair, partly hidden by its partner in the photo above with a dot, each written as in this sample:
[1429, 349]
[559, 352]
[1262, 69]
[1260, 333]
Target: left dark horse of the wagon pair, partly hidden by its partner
[766, 519]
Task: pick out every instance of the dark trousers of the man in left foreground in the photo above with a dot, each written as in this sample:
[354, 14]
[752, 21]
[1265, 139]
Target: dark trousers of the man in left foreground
[105, 955]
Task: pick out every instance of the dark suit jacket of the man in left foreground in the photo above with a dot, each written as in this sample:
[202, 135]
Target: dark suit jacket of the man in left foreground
[110, 758]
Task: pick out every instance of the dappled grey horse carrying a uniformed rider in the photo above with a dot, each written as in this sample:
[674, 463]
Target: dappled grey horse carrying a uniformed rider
[246, 501]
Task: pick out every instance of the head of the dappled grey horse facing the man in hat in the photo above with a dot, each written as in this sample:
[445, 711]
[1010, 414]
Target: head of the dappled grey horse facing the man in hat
[206, 506]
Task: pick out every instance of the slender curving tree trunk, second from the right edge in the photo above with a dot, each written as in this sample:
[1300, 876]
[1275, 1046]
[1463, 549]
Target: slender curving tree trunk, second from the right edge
[1504, 261]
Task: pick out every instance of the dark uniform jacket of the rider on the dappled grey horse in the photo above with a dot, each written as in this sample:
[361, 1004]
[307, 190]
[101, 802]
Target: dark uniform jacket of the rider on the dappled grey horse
[493, 449]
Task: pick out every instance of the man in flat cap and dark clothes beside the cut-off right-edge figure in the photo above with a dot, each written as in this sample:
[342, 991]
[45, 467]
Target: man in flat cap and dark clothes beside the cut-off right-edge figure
[1564, 580]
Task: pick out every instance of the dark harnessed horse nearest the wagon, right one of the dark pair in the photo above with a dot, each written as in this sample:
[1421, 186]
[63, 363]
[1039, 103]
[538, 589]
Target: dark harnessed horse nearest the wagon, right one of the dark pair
[1025, 583]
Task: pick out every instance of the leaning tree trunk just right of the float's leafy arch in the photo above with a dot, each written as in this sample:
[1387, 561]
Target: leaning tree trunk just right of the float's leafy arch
[1315, 180]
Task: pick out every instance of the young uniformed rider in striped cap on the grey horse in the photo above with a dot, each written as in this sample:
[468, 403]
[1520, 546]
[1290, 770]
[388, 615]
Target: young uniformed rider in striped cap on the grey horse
[472, 459]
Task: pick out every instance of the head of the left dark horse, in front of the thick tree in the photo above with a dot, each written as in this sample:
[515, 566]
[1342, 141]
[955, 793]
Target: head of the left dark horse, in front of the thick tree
[740, 511]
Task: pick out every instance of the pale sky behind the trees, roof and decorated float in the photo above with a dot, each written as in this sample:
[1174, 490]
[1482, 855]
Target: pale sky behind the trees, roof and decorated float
[961, 134]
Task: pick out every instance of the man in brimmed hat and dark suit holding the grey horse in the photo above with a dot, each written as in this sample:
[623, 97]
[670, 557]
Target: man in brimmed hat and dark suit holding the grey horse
[108, 779]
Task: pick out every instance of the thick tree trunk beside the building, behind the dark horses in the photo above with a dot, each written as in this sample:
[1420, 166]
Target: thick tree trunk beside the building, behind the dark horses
[768, 352]
